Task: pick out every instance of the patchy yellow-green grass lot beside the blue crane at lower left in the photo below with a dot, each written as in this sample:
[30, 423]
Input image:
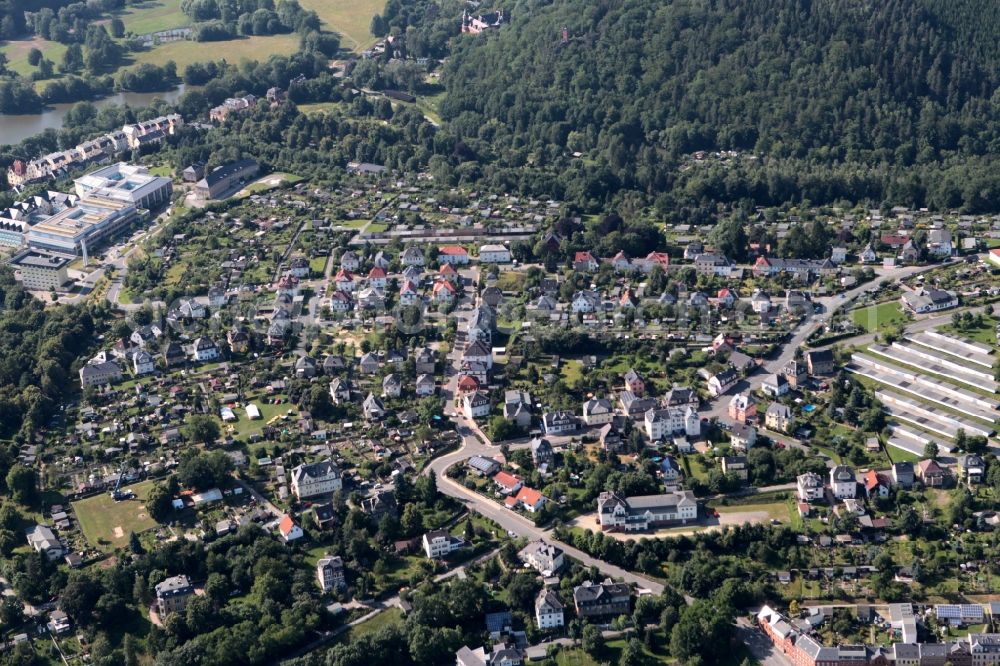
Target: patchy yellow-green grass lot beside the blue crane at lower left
[107, 523]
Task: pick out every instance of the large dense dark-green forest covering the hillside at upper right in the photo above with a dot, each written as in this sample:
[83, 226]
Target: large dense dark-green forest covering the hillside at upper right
[824, 100]
